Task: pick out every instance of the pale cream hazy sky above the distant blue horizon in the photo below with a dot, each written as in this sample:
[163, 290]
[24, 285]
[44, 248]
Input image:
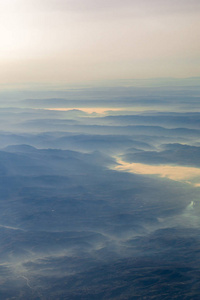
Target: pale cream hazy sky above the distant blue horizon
[65, 41]
